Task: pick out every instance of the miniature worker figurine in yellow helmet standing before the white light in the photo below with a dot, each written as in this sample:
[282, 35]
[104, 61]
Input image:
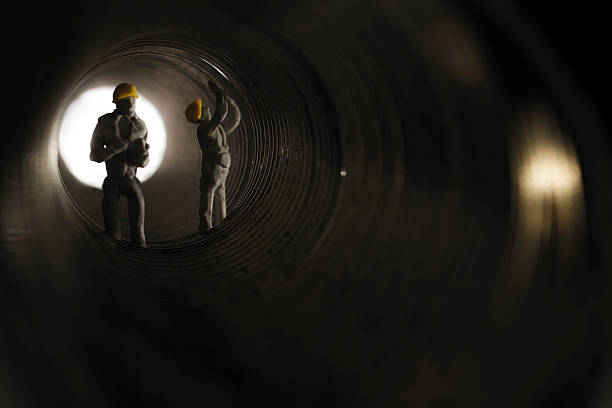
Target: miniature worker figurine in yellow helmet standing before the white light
[120, 140]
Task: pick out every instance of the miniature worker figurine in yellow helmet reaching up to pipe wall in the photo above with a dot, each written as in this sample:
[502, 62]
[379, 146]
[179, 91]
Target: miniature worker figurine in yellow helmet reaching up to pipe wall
[215, 151]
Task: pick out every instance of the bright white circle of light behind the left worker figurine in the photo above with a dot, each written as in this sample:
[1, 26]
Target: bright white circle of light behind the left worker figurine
[78, 124]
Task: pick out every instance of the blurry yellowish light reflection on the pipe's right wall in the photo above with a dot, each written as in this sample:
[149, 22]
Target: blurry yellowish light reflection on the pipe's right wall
[548, 195]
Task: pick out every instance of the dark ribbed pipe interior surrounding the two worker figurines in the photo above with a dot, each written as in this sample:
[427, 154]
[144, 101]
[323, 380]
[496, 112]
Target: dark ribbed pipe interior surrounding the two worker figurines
[418, 213]
